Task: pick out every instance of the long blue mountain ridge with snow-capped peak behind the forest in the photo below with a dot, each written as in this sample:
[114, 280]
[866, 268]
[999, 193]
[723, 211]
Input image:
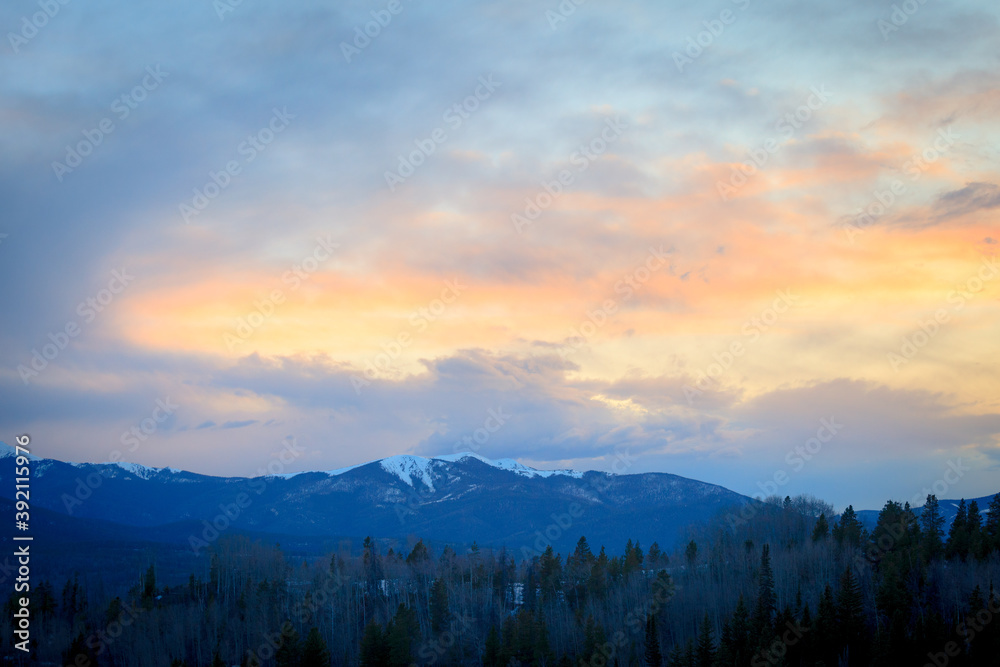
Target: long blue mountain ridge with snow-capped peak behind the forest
[454, 499]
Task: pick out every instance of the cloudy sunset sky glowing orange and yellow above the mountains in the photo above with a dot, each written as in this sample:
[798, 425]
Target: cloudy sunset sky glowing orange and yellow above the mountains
[752, 243]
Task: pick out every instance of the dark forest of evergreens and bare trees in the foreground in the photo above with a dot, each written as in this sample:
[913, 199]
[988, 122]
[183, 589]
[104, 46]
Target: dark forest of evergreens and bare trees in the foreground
[783, 582]
